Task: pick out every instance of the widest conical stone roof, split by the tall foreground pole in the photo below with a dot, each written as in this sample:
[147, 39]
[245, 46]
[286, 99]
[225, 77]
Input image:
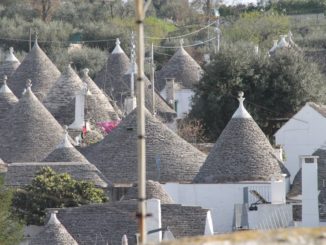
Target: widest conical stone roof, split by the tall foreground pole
[169, 158]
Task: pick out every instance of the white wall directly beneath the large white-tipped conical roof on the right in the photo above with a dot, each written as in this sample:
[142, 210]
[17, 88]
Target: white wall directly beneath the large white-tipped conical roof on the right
[219, 198]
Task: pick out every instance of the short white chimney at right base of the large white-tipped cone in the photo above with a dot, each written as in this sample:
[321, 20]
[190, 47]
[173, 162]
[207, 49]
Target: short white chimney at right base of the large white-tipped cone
[278, 190]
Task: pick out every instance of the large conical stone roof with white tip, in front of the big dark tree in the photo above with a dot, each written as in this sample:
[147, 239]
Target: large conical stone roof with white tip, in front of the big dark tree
[241, 153]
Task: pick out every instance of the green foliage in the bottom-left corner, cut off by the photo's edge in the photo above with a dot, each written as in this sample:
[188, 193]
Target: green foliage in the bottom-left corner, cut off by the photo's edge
[11, 230]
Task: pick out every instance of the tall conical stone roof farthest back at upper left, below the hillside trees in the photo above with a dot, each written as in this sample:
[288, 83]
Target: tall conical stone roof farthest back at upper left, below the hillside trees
[37, 67]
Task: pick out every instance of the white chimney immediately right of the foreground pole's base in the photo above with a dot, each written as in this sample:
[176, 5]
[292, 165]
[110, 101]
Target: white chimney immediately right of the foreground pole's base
[154, 221]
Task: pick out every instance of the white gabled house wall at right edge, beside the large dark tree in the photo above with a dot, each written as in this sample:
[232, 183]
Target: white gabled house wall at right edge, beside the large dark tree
[301, 135]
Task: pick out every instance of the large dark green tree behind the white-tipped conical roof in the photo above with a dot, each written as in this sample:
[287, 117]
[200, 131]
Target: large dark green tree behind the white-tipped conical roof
[275, 88]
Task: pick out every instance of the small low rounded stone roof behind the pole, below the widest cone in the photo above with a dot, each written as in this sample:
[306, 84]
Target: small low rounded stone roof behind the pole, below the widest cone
[153, 190]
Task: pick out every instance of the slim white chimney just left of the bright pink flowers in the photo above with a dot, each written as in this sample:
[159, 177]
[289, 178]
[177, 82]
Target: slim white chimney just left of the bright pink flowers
[80, 99]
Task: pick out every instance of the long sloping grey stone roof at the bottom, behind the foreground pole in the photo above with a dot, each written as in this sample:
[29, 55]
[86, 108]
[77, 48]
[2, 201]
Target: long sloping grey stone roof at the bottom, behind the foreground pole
[107, 223]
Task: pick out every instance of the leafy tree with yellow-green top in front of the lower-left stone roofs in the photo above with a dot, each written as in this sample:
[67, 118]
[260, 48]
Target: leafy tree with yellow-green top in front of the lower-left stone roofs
[53, 190]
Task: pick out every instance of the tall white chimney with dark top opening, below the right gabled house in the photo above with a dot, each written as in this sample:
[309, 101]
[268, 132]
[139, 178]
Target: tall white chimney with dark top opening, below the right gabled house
[310, 210]
